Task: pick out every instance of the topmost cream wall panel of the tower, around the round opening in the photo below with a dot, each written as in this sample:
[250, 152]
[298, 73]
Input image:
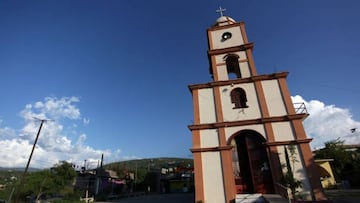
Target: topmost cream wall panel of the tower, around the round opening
[235, 40]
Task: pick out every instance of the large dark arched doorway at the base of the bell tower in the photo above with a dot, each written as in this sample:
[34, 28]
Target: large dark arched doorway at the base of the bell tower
[251, 164]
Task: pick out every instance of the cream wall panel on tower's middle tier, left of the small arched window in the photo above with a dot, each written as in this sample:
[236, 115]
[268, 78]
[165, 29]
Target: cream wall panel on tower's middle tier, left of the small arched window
[206, 106]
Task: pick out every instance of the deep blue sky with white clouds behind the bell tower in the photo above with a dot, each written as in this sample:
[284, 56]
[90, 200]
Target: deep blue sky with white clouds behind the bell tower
[113, 75]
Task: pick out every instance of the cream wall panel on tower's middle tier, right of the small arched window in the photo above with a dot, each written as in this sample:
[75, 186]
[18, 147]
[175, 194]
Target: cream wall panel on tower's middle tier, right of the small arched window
[274, 100]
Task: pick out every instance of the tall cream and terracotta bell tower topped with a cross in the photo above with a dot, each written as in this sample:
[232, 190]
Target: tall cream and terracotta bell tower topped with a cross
[242, 124]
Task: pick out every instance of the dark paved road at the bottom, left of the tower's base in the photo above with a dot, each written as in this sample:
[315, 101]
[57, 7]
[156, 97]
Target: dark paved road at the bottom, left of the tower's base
[158, 198]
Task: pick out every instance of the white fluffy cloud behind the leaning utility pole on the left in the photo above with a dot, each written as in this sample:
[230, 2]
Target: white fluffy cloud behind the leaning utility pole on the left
[55, 143]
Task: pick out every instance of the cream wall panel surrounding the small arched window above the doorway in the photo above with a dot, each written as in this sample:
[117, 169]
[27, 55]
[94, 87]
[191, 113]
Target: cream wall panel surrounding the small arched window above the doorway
[230, 114]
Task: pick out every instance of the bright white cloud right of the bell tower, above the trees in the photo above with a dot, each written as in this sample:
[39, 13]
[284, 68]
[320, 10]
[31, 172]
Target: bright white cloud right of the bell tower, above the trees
[328, 122]
